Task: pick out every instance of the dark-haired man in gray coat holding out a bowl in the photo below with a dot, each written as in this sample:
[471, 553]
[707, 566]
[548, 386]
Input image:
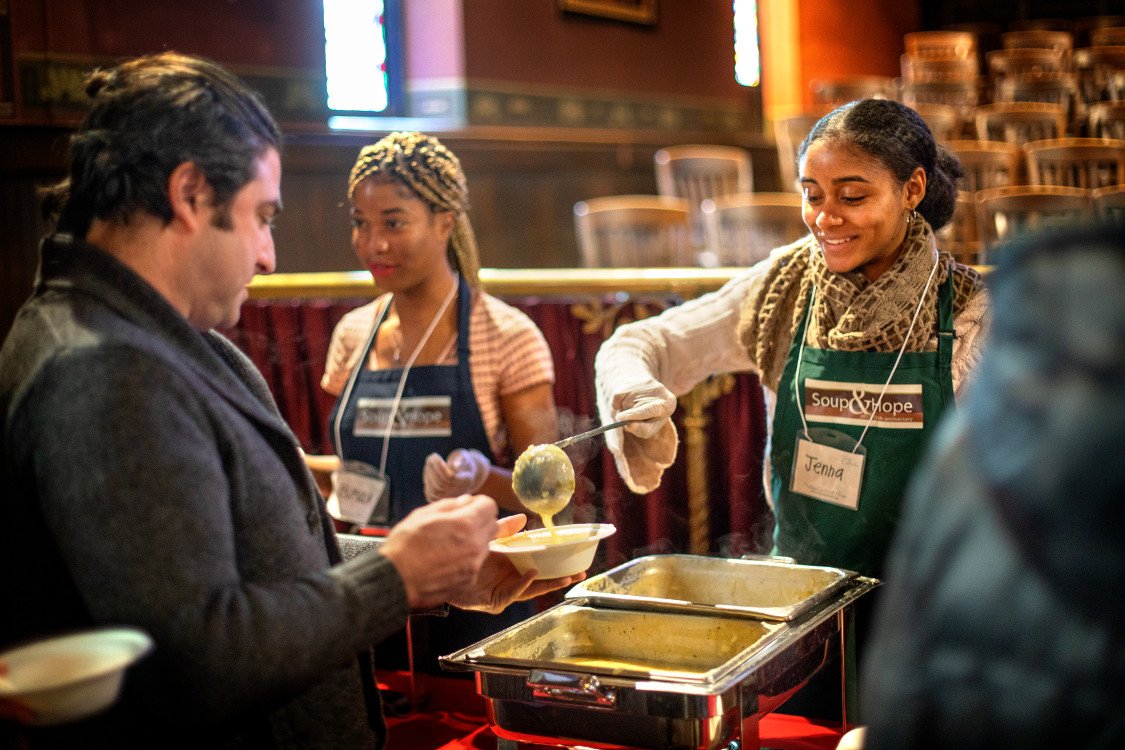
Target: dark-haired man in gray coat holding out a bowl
[148, 477]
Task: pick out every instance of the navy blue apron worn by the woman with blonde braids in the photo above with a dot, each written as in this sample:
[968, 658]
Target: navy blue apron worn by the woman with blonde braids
[438, 413]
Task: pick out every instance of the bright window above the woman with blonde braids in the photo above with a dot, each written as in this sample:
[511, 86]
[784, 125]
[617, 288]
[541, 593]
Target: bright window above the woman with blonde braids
[363, 56]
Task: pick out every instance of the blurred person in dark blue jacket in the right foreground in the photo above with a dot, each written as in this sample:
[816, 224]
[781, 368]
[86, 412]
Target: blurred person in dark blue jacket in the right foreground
[1003, 622]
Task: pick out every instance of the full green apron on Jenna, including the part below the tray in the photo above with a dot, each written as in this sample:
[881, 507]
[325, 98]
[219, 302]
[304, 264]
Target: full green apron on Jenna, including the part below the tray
[821, 534]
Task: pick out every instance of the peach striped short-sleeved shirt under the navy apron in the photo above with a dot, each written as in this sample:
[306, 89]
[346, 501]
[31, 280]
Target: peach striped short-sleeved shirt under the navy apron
[507, 355]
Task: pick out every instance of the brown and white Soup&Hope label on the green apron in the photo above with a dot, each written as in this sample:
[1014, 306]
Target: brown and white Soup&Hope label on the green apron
[853, 403]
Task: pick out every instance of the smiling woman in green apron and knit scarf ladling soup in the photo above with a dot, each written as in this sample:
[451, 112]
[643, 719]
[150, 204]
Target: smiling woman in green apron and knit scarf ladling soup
[862, 333]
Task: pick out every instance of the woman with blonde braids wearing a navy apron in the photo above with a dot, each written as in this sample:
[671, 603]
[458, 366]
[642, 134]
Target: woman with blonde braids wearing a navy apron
[438, 383]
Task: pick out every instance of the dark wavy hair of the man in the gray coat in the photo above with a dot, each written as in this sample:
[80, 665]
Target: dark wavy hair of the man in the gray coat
[149, 116]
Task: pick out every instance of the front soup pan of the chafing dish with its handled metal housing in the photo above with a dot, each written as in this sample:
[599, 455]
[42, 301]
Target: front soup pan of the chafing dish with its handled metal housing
[586, 675]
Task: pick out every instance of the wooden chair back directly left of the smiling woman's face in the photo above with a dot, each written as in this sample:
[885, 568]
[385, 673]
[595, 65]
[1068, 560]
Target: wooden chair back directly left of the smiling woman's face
[742, 229]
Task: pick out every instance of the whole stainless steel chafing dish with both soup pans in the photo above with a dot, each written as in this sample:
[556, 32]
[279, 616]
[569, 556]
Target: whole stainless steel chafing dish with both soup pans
[655, 654]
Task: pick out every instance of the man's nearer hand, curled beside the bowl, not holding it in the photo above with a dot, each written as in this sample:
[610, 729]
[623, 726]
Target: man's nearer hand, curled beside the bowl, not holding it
[439, 549]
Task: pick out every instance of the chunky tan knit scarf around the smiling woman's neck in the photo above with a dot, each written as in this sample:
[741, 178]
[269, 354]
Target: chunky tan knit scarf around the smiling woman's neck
[851, 314]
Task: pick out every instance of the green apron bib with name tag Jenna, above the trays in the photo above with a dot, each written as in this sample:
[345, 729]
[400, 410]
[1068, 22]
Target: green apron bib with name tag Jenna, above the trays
[815, 532]
